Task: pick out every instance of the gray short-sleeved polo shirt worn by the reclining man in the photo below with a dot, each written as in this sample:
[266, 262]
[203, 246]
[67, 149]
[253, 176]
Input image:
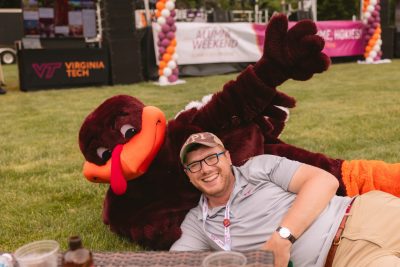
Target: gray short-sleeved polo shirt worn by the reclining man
[258, 203]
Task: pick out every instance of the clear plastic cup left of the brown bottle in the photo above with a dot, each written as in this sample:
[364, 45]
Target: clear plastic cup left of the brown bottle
[38, 254]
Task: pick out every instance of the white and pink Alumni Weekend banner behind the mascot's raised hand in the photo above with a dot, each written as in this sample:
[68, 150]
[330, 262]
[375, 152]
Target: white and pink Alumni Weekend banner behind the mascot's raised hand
[199, 43]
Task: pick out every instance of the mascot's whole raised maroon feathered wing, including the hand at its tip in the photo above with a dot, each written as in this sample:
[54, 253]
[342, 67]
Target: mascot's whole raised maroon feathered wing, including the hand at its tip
[294, 53]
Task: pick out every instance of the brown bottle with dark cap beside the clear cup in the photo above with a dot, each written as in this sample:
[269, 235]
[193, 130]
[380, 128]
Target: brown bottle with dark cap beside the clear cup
[77, 255]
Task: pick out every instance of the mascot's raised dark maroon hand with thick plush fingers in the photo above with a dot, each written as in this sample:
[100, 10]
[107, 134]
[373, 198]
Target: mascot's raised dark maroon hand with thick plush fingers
[294, 53]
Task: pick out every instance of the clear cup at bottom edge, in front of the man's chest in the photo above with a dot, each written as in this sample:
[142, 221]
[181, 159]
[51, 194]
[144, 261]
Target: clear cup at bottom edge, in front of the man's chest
[225, 258]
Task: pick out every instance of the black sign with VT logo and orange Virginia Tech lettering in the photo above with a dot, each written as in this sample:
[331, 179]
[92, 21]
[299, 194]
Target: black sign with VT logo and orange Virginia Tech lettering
[47, 68]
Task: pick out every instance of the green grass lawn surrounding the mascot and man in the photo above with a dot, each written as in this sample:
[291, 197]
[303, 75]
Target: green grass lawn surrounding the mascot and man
[350, 112]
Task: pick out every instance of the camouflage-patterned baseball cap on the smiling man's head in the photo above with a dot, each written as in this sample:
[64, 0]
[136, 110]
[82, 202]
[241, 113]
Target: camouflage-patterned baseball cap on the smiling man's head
[204, 138]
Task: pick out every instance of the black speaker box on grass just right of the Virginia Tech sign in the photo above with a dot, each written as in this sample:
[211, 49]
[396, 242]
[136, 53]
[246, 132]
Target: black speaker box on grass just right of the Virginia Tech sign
[125, 60]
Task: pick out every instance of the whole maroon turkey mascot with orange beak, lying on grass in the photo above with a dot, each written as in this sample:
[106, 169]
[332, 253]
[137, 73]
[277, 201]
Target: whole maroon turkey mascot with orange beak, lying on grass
[130, 145]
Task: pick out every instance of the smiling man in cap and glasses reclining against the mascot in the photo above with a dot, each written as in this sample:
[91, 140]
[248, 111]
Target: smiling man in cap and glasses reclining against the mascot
[287, 207]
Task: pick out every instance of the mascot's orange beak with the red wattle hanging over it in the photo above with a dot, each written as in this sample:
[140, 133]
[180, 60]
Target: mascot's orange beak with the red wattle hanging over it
[132, 159]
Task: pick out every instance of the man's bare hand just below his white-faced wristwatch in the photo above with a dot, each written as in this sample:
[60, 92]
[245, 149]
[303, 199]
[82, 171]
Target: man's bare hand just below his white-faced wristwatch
[281, 249]
